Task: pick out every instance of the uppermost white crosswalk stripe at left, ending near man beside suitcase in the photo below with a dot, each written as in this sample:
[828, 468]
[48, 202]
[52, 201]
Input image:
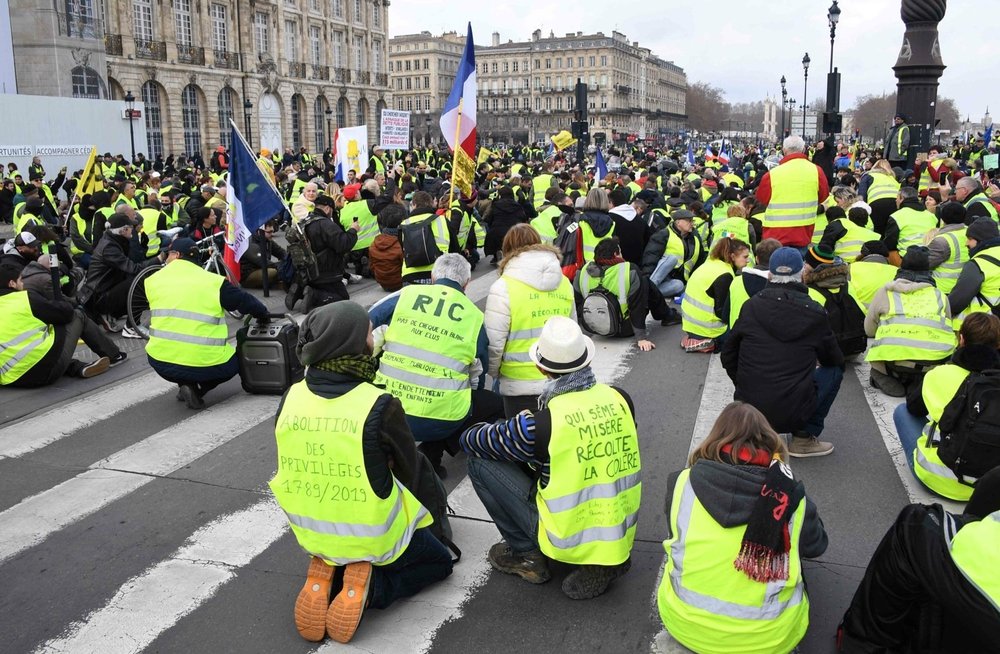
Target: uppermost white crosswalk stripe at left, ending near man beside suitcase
[35, 432]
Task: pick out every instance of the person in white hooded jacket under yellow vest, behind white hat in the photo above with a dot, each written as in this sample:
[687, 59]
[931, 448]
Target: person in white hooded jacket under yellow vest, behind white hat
[531, 289]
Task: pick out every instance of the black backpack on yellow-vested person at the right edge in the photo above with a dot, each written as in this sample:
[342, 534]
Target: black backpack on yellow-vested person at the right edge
[970, 427]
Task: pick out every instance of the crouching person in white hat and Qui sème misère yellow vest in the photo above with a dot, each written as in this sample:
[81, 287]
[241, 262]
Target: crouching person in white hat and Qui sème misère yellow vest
[579, 504]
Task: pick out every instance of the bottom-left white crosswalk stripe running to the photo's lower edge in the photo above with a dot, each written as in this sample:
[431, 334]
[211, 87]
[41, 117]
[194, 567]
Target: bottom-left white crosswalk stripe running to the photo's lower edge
[150, 603]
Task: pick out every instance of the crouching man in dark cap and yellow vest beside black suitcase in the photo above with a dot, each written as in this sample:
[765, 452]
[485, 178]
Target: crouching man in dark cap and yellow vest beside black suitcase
[187, 332]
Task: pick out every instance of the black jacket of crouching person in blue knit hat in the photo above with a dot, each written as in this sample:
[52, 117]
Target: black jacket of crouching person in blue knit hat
[772, 351]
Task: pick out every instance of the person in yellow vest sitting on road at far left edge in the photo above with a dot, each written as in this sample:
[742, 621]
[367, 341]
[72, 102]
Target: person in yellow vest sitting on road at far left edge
[39, 337]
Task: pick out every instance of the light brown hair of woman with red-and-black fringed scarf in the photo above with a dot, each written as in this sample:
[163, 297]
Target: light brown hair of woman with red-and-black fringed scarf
[742, 427]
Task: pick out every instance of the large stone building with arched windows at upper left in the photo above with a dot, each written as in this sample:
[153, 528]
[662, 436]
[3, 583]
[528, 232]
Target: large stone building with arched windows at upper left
[287, 72]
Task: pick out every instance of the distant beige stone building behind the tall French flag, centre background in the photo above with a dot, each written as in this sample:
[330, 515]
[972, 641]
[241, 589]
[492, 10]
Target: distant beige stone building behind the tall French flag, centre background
[526, 88]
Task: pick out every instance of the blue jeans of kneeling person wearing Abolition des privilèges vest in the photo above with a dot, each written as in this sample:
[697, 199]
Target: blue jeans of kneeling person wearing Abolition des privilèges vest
[424, 562]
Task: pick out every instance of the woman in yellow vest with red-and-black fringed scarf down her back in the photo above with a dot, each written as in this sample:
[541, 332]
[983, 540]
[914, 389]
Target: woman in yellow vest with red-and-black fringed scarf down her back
[730, 590]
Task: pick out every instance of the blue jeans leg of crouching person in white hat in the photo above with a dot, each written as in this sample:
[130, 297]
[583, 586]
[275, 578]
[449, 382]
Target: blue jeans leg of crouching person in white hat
[507, 492]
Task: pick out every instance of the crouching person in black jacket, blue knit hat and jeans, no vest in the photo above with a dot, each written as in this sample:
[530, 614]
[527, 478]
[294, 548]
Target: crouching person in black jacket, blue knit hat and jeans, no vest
[772, 355]
